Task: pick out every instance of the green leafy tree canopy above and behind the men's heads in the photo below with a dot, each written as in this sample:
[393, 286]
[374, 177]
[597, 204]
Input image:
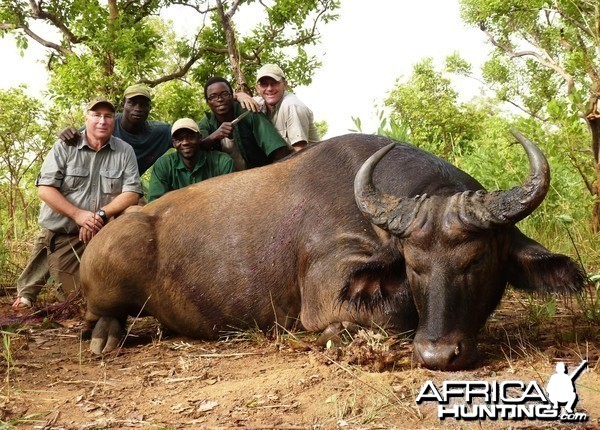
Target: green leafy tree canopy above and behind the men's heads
[93, 49]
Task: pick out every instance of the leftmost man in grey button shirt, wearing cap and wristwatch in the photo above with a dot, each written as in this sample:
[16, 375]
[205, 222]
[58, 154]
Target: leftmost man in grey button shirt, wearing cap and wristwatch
[81, 188]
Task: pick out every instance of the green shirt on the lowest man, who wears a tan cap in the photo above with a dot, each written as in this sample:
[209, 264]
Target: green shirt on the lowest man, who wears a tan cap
[170, 173]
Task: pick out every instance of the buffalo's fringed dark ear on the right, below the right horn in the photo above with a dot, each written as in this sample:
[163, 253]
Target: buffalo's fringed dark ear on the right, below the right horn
[535, 269]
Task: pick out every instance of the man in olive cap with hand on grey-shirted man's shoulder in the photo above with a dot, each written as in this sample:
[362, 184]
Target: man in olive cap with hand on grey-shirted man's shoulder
[149, 139]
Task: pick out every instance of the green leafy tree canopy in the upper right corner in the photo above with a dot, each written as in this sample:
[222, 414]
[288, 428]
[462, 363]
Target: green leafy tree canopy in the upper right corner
[546, 63]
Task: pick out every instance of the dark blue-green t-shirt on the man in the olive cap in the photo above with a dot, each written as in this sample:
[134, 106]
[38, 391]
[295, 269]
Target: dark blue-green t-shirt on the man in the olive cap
[148, 145]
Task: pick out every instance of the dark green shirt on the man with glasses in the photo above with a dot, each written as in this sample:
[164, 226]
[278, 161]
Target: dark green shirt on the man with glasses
[255, 136]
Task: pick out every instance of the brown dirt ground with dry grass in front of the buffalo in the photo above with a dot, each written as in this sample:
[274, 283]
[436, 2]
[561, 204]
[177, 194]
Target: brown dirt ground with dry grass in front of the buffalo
[251, 380]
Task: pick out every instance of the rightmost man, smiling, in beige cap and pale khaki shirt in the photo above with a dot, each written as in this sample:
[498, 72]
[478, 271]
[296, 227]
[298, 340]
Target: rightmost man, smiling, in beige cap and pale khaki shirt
[291, 117]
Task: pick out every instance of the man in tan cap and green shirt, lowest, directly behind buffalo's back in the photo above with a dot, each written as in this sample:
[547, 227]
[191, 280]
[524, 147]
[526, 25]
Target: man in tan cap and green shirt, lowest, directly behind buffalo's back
[189, 164]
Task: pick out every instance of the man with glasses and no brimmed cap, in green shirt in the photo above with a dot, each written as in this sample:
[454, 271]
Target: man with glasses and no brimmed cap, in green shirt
[255, 137]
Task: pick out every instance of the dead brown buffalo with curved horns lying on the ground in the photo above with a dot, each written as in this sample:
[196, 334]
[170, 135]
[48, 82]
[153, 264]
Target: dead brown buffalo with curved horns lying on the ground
[358, 229]
